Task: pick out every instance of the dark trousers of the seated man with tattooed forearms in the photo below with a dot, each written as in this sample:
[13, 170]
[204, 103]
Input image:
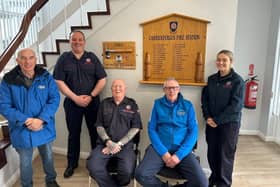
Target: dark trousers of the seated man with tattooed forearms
[97, 166]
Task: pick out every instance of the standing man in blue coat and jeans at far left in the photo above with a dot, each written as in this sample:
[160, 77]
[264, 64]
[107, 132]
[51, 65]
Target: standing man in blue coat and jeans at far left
[29, 98]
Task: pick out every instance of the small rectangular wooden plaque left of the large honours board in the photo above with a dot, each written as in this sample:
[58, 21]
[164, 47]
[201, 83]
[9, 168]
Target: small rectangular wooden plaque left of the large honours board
[119, 55]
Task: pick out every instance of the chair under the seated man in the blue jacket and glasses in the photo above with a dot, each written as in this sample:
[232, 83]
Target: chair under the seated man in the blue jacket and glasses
[171, 176]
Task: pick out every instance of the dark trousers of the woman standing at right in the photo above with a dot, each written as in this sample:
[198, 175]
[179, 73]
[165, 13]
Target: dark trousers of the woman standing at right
[222, 142]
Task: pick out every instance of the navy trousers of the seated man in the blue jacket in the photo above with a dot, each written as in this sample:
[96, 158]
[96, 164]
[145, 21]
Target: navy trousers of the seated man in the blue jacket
[152, 163]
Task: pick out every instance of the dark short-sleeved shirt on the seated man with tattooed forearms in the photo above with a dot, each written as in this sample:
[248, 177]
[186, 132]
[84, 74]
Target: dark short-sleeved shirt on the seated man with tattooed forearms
[117, 120]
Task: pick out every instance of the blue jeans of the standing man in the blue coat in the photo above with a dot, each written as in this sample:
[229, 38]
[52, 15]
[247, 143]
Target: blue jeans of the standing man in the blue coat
[25, 157]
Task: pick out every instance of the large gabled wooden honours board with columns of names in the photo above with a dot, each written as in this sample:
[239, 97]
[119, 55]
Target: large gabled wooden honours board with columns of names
[174, 46]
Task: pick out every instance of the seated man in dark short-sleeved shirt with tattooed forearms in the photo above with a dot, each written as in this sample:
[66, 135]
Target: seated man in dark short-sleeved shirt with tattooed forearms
[118, 121]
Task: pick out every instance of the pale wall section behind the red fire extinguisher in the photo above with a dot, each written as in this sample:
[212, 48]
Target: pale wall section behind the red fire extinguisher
[251, 47]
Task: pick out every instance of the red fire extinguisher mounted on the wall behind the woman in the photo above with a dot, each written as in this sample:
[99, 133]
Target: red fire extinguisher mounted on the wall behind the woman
[251, 92]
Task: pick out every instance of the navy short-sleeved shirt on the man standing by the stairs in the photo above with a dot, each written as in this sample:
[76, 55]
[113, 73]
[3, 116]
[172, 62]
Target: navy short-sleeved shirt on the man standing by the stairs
[80, 75]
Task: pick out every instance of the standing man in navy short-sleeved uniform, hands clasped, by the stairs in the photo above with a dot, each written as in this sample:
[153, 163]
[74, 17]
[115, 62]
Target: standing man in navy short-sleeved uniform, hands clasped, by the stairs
[80, 77]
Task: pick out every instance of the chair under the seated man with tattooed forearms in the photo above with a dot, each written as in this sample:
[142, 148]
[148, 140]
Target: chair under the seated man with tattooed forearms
[112, 164]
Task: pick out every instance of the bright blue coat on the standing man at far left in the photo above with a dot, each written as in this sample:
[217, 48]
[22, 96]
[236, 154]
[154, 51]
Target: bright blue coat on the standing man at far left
[18, 102]
